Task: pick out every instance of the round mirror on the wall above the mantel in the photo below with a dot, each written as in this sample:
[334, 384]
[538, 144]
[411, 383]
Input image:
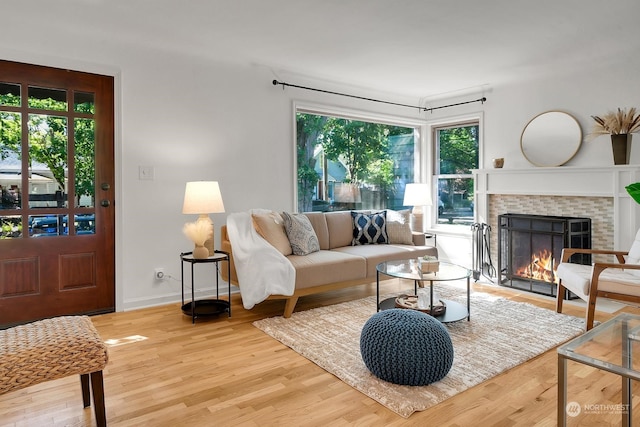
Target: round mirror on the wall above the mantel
[551, 139]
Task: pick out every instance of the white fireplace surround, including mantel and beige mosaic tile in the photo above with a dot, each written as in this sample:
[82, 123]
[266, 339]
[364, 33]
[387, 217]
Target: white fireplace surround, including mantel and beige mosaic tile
[596, 193]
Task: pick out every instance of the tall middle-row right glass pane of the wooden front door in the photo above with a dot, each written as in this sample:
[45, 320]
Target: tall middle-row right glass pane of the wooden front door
[84, 162]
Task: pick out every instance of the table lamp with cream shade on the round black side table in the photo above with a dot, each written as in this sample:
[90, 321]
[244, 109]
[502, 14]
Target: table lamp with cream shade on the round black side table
[203, 198]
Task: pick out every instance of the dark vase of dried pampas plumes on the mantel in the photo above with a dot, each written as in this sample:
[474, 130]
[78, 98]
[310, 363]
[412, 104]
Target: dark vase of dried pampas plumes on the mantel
[620, 125]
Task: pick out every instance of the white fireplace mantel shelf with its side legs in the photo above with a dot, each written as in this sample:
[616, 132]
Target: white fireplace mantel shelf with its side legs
[566, 181]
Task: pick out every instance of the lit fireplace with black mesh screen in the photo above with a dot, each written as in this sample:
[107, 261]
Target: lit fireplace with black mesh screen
[530, 249]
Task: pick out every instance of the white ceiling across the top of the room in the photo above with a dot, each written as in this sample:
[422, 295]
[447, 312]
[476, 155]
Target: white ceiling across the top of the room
[415, 48]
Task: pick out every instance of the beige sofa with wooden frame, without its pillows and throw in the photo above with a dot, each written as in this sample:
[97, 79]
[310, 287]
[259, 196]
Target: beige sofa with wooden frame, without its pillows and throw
[337, 264]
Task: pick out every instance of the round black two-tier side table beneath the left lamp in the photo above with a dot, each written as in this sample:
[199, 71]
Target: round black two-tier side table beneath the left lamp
[208, 306]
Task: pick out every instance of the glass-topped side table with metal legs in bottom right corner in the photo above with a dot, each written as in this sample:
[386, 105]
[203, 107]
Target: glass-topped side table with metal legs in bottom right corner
[610, 347]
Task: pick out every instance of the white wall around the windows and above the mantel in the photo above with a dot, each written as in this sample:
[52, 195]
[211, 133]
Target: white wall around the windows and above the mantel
[190, 120]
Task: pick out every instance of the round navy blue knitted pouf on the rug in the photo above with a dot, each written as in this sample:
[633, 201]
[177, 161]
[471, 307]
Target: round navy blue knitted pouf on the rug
[406, 347]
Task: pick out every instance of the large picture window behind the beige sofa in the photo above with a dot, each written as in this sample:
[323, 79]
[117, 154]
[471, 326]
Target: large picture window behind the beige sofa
[346, 163]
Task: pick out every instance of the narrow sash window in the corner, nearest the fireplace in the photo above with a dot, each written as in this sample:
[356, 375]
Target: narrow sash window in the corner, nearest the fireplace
[456, 154]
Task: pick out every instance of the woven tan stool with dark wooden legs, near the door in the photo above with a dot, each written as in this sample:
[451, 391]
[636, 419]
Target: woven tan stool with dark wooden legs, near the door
[51, 349]
